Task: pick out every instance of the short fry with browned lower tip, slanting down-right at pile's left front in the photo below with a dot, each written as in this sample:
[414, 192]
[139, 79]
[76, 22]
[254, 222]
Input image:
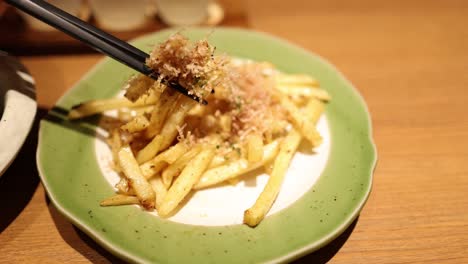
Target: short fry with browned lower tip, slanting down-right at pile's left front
[138, 183]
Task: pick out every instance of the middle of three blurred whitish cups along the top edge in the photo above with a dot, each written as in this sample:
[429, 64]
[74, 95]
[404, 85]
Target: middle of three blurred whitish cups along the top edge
[122, 15]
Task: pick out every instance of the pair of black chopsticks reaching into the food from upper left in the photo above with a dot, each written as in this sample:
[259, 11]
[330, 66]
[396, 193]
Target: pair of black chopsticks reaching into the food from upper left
[94, 37]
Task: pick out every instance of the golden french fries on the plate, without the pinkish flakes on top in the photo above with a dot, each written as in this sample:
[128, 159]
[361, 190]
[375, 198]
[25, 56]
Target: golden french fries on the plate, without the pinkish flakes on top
[160, 172]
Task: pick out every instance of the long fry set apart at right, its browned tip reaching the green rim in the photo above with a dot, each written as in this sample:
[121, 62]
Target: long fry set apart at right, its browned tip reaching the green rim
[257, 212]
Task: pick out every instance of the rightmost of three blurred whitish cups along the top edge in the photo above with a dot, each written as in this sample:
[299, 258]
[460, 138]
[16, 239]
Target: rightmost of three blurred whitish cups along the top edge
[183, 12]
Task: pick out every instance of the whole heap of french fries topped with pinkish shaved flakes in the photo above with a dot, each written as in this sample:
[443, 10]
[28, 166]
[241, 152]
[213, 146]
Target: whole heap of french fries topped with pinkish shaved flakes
[165, 145]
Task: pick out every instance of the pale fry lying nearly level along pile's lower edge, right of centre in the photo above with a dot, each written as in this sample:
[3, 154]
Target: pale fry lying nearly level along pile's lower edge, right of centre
[236, 168]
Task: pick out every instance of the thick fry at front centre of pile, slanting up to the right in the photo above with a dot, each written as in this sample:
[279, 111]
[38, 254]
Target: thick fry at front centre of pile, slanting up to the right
[186, 180]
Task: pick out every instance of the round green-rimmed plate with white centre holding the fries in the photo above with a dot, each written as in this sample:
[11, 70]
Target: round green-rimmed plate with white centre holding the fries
[303, 219]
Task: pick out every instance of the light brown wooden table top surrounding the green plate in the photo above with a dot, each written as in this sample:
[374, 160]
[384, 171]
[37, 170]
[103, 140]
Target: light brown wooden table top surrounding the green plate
[409, 59]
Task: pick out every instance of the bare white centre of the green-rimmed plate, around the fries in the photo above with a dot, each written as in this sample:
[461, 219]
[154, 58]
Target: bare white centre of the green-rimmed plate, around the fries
[225, 205]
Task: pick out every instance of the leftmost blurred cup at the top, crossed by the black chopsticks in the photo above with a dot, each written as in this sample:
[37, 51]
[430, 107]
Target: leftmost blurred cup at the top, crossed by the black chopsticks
[73, 7]
